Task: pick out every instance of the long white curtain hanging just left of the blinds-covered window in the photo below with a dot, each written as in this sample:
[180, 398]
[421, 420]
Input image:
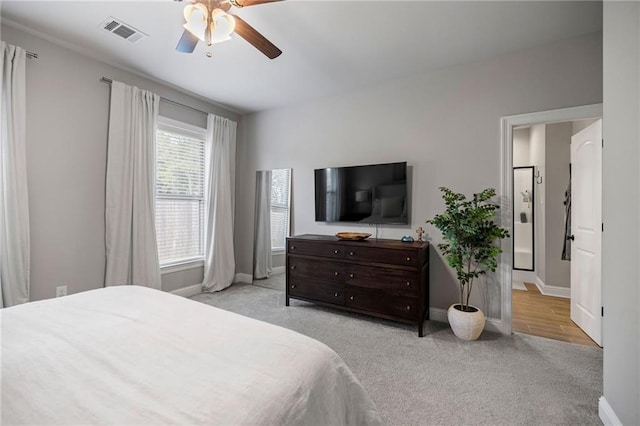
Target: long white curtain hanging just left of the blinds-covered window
[132, 252]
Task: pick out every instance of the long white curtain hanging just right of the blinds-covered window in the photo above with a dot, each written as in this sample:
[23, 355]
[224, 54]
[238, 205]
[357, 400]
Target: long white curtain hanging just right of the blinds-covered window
[220, 265]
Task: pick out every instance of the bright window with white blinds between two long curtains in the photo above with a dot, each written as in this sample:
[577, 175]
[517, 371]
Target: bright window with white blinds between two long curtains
[180, 192]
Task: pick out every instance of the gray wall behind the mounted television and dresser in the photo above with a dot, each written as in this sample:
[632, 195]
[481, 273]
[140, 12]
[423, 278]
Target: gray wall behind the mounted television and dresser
[445, 124]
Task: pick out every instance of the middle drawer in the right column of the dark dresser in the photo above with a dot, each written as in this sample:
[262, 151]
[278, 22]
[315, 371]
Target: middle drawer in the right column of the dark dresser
[392, 280]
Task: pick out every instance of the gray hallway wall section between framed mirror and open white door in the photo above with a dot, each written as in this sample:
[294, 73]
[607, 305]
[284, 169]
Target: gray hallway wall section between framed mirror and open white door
[557, 159]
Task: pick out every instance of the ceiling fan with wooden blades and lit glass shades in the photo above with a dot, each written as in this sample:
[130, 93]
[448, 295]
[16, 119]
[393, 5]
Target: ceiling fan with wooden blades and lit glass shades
[208, 21]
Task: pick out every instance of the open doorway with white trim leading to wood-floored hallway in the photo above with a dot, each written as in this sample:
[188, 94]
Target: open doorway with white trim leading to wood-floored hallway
[543, 286]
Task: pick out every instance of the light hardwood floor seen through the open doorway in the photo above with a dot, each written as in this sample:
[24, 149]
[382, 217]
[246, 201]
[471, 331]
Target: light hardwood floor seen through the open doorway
[545, 316]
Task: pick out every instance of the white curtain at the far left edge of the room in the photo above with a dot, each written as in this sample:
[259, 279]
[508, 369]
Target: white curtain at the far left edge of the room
[14, 200]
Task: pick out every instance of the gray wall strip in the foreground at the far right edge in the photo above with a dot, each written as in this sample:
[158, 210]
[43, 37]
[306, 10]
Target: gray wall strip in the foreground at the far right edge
[621, 200]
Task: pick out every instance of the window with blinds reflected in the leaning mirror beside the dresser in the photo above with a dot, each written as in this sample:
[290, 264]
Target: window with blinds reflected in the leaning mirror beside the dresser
[280, 185]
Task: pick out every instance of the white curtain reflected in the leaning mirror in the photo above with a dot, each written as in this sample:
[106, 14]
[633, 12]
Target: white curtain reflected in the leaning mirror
[262, 259]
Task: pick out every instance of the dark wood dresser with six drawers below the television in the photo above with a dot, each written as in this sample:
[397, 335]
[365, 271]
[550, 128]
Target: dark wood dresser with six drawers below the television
[383, 278]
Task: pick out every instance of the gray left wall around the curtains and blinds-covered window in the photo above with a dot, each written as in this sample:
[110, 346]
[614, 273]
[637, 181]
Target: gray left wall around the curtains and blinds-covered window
[67, 121]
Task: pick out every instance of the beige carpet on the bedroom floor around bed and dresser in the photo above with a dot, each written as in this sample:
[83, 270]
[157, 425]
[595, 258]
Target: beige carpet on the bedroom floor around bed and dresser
[440, 379]
